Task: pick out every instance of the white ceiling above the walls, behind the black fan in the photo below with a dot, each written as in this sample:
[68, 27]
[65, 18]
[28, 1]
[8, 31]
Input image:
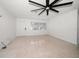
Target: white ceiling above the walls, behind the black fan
[22, 8]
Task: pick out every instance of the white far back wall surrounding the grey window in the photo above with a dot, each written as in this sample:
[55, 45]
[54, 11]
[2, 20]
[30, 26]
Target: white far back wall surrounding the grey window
[22, 23]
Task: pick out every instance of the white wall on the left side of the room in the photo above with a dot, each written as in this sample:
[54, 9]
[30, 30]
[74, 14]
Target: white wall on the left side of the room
[7, 27]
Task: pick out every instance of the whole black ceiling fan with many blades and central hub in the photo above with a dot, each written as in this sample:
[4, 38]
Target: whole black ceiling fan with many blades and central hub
[49, 6]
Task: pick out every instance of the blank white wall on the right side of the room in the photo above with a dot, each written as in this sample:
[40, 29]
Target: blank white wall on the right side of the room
[64, 26]
